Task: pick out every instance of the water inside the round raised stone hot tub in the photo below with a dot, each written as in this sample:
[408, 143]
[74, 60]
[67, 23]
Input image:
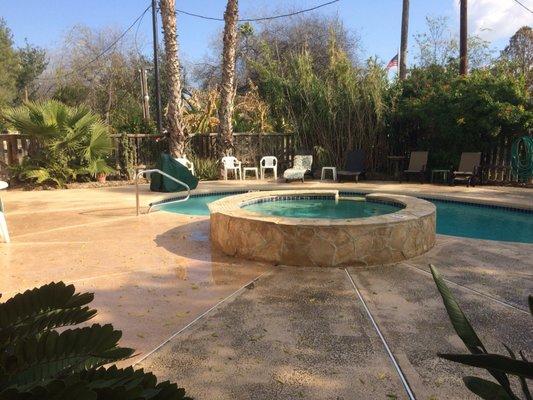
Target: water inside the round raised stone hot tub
[321, 208]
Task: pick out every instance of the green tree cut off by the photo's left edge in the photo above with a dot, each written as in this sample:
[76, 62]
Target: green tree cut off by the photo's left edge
[8, 65]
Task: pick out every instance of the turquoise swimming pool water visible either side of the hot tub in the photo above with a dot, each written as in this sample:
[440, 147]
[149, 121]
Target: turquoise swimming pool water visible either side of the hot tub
[453, 218]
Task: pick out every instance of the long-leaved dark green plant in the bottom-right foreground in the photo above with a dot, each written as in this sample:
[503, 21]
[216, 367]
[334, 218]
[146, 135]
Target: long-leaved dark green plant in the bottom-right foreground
[501, 367]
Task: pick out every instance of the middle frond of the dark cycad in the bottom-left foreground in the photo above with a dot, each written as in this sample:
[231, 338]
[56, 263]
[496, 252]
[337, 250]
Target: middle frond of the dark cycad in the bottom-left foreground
[41, 358]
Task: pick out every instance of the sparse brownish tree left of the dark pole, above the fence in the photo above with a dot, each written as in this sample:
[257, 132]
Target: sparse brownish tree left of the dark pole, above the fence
[82, 73]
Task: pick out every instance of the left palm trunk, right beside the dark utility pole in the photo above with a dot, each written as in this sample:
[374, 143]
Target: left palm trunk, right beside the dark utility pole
[175, 129]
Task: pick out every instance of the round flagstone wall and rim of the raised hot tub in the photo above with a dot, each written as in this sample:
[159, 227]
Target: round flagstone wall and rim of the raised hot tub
[322, 242]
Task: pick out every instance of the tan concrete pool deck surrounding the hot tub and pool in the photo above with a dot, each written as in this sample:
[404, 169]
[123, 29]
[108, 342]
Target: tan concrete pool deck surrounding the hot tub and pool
[287, 335]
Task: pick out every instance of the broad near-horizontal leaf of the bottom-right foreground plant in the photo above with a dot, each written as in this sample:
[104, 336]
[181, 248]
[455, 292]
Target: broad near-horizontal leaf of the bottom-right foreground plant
[494, 362]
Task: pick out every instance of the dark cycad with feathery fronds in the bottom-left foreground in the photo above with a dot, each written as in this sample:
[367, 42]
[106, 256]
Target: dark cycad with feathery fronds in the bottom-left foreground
[39, 362]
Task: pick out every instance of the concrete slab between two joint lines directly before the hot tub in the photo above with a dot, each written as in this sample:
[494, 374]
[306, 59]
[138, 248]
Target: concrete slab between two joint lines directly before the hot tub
[298, 333]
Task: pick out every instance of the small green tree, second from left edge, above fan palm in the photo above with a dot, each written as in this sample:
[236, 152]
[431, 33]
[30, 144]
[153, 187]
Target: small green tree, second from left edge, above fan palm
[33, 62]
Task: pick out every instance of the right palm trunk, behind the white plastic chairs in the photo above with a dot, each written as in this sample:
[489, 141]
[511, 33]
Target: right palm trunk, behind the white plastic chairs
[227, 86]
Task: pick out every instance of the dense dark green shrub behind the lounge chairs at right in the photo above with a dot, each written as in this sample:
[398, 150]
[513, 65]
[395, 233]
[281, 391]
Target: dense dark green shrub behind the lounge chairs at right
[439, 111]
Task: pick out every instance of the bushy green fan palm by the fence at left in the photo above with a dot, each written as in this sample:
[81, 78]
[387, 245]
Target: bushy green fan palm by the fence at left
[69, 141]
